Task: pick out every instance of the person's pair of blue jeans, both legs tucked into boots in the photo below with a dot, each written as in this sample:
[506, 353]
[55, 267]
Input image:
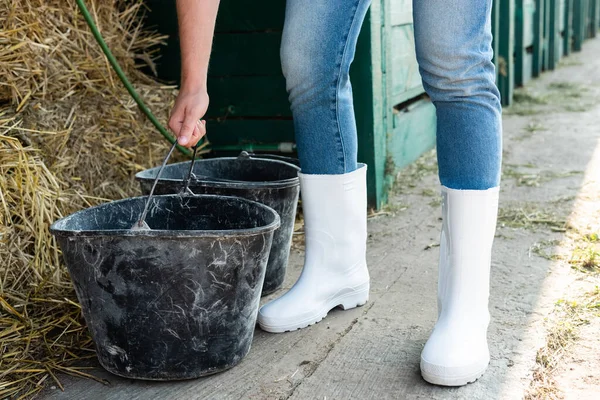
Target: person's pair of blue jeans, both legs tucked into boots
[453, 44]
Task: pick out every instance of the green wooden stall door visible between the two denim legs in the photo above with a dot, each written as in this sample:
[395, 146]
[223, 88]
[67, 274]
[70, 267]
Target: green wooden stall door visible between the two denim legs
[396, 122]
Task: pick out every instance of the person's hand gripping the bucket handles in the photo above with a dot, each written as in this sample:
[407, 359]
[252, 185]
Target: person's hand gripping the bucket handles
[185, 120]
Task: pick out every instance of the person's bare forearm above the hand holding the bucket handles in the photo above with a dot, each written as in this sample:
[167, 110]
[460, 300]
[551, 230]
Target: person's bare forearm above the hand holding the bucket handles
[196, 28]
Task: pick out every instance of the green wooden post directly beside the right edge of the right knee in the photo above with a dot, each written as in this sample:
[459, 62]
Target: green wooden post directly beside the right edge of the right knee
[506, 65]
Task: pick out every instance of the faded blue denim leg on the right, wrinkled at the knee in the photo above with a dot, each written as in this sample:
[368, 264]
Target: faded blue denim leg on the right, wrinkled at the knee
[454, 50]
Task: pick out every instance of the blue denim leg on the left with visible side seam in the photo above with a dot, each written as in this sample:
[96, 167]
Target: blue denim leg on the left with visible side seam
[318, 45]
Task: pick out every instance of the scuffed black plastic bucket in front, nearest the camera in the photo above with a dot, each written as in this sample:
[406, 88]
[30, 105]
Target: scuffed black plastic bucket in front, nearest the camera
[178, 301]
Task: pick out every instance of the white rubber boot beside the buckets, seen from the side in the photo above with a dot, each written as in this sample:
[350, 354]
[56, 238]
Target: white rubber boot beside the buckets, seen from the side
[335, 268]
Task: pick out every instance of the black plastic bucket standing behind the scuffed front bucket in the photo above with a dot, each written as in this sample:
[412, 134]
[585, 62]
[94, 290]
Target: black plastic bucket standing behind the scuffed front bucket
[268, 181]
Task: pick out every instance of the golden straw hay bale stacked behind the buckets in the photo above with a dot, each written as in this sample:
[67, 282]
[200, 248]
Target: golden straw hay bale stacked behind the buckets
[70, 137]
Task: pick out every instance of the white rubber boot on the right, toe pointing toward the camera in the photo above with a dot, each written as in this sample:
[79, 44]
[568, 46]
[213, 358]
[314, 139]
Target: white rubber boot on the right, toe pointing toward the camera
[457, 351]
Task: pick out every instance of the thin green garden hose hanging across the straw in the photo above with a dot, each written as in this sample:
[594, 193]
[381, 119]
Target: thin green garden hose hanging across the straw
[117, 68]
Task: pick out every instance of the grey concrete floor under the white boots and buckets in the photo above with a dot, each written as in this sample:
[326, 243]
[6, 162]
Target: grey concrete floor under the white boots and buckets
[373, 352]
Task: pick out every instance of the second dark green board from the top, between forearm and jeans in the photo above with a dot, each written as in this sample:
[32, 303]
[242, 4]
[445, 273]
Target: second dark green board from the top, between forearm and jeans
[246, 54]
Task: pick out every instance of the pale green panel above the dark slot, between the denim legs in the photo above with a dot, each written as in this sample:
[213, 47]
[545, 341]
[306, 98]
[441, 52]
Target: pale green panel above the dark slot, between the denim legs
[405, 77]
